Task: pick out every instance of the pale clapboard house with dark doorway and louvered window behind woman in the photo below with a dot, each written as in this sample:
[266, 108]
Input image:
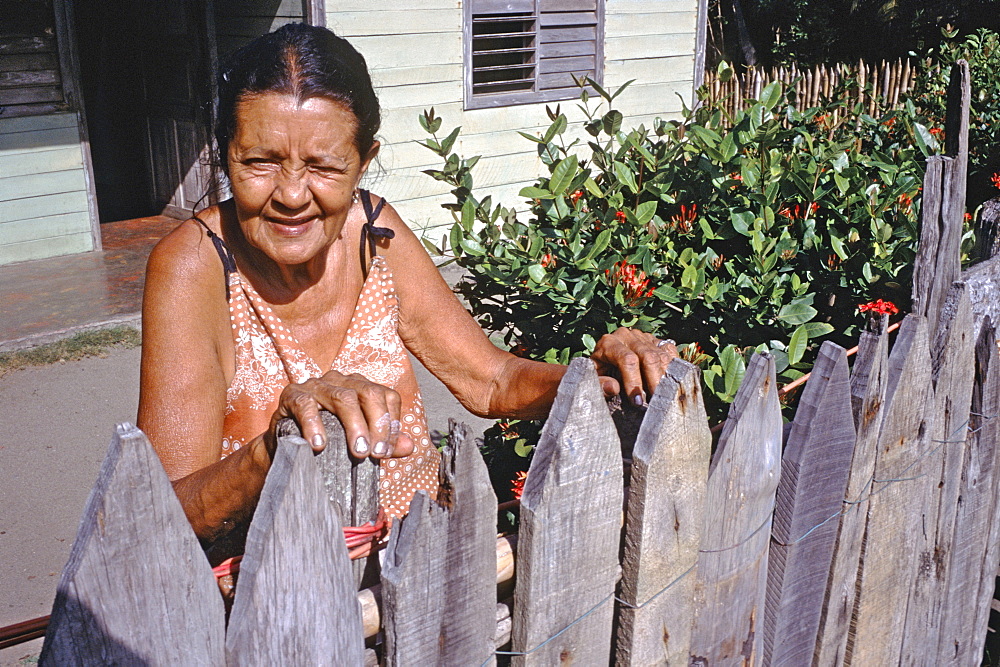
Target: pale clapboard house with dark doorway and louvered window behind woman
[103, 105]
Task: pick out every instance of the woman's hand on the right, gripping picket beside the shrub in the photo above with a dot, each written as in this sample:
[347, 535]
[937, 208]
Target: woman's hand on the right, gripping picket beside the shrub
[632, 362]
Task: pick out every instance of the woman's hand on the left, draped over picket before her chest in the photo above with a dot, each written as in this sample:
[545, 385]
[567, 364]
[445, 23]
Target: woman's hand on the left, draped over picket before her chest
[369, 412]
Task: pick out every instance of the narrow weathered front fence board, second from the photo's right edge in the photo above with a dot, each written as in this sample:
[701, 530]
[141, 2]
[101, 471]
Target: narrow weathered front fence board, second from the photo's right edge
[953, 366]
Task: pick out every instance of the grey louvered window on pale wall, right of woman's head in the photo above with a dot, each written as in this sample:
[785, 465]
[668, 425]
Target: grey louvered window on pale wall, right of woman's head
[523, 51]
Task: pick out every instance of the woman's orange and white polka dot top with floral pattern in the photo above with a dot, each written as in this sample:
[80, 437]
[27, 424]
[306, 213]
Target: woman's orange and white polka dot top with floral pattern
[268, 358]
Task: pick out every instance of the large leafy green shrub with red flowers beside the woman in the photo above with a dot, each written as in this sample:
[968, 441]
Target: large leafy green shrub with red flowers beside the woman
[763, 231]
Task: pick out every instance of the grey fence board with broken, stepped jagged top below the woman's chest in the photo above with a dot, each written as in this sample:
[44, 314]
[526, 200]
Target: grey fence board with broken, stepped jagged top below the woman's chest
[439, 570]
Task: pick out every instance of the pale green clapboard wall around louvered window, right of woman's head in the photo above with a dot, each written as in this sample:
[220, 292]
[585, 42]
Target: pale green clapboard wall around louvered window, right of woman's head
[415, 53]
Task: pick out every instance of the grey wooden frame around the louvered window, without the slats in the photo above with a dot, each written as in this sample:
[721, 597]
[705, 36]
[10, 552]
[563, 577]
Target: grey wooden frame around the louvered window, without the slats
[535, 96]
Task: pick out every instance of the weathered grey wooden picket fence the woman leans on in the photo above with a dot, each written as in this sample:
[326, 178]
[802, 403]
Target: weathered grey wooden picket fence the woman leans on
[866, 532]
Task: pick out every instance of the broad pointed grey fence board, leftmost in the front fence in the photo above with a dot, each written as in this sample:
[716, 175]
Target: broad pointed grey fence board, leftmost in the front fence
[134, 538]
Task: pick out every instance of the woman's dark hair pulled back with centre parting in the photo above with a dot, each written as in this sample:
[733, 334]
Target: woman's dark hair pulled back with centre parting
[304, 61]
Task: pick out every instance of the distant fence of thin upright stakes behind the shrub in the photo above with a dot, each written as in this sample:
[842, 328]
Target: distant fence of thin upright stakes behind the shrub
[876, 85]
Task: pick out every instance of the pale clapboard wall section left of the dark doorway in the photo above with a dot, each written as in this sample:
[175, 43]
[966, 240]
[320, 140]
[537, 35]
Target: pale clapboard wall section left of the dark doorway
[43, 190]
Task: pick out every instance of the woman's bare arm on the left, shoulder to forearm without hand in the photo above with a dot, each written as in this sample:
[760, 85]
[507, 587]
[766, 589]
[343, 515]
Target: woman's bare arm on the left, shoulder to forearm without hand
[183, 384]
